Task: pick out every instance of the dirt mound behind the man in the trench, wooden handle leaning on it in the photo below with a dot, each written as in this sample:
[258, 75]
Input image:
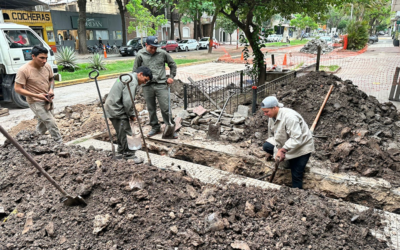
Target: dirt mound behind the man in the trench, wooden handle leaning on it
[358, 133]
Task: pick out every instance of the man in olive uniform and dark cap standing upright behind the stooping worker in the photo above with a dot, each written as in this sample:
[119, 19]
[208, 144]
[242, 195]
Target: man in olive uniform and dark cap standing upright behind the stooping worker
[155, 59]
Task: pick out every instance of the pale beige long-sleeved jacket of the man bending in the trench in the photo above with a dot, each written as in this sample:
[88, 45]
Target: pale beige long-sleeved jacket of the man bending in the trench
[290, 131]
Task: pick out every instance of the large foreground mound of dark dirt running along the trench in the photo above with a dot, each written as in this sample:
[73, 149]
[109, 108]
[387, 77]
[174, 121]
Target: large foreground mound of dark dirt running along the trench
[140, 207]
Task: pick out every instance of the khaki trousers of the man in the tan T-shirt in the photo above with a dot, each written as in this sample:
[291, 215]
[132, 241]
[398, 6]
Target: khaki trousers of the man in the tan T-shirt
[46, 121]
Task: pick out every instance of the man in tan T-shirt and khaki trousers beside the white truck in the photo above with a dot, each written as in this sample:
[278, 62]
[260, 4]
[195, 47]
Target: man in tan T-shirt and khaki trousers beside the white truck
[35, 81]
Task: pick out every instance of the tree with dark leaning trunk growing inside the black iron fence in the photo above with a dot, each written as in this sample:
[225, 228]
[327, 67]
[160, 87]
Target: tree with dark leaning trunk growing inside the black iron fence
[248, 15]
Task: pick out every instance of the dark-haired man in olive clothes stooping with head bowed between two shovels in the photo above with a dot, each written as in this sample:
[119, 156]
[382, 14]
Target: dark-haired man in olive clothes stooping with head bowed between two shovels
[119, 110]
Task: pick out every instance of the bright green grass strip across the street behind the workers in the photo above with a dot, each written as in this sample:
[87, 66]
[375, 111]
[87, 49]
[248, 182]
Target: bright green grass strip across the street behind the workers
[112, 67]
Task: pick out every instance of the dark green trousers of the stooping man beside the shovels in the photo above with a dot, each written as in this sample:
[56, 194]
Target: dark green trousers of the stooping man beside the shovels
[123, 128]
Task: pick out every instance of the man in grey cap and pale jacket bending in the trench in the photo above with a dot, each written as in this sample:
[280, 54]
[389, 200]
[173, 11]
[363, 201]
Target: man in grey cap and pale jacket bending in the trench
[288, 138]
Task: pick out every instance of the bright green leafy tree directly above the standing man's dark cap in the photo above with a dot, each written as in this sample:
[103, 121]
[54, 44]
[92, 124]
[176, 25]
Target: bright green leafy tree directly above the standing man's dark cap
[144, 21]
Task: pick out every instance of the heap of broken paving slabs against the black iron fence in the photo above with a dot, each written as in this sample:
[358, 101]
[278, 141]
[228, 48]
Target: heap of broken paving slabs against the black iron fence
[232, 126]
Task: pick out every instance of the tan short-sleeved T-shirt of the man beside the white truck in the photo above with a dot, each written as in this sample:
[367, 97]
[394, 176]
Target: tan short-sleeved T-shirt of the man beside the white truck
[35, 80]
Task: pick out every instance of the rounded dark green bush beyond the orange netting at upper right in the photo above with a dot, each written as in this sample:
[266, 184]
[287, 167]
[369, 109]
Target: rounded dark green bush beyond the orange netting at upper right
[357, 35]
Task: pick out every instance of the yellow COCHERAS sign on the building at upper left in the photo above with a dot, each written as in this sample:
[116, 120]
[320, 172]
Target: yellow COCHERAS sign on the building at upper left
[26, 16]
